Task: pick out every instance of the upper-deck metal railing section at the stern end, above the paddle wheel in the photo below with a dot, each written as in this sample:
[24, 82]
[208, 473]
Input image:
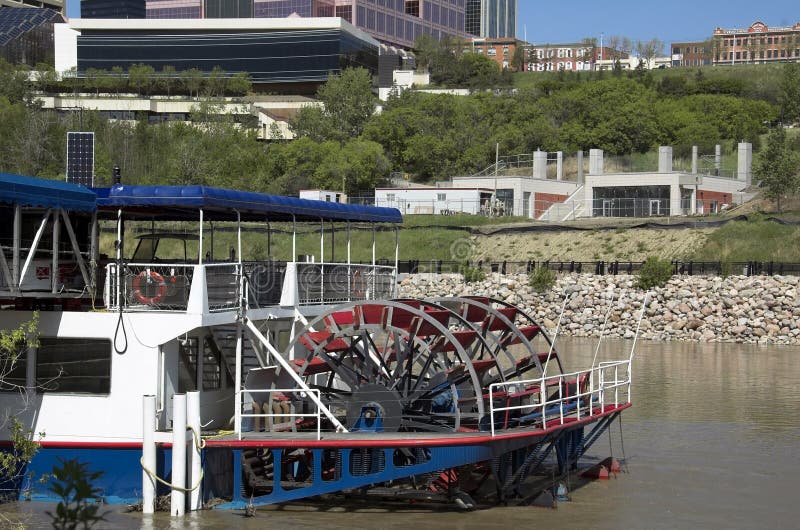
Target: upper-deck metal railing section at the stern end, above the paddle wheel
[330, 283]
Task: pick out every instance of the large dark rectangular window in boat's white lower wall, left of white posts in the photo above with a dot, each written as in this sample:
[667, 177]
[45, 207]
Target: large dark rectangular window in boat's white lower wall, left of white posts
[73, 365]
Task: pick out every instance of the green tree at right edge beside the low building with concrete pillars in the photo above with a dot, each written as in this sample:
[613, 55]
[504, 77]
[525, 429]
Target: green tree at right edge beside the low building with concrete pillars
[778, 167]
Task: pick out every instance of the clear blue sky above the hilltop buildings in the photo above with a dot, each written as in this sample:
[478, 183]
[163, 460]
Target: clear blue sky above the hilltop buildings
[672, 21]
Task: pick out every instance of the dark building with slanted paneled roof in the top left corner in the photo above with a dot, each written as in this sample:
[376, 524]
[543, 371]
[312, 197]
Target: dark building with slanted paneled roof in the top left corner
[27, 34]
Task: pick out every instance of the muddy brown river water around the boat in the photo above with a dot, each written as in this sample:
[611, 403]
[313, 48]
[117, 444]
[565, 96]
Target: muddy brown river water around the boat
[711, 442]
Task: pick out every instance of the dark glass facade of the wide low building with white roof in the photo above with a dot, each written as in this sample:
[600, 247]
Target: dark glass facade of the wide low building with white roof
[269, 56]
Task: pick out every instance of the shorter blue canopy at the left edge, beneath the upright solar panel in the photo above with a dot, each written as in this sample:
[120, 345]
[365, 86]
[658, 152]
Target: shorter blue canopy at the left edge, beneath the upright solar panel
[36, 192]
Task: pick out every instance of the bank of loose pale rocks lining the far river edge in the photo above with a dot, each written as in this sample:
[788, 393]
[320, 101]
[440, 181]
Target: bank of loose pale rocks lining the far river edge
[756, 309]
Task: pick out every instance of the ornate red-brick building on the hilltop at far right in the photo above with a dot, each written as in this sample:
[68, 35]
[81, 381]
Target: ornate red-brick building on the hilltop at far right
[757, 44]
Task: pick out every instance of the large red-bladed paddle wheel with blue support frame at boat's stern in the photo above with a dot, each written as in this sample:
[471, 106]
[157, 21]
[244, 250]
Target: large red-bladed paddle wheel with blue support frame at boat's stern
[400, 384]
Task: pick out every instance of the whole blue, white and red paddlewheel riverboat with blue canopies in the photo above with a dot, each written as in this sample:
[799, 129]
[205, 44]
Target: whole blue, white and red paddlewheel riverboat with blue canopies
[304, 376]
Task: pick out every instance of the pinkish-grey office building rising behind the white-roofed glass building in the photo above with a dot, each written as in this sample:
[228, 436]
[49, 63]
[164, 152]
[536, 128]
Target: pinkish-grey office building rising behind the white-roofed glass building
[394, 22]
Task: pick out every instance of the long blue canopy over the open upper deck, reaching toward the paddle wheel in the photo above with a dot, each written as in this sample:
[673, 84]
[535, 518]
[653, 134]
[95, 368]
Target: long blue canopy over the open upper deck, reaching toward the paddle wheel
[182, 202]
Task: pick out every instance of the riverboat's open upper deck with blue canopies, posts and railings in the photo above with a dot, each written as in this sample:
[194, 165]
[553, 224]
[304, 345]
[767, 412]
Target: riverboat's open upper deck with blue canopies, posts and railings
[195, 281]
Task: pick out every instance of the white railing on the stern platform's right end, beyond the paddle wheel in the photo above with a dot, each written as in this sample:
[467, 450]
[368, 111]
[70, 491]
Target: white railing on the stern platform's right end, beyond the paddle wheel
[575, 395]
